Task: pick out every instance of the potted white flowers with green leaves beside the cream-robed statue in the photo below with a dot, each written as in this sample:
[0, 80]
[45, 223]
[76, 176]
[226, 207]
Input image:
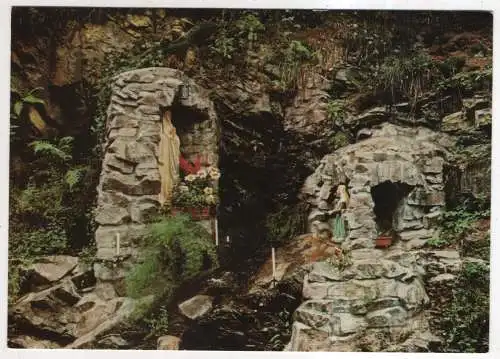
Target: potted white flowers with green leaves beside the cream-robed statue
[196, 193]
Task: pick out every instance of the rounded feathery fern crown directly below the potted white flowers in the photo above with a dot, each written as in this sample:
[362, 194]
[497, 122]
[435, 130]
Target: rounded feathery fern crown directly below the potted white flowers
[176, 250]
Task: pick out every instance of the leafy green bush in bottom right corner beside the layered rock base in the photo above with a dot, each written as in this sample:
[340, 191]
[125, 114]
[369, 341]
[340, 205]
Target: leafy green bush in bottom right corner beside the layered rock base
[465, 321]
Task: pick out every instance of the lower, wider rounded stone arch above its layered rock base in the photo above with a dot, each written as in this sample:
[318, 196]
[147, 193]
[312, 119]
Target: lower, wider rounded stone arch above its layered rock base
[413, 158]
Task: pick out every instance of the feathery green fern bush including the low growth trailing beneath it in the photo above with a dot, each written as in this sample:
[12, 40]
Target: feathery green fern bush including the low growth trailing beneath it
[177, 249]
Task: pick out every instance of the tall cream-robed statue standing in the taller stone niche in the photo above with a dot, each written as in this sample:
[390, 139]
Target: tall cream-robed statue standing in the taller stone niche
[169, 157]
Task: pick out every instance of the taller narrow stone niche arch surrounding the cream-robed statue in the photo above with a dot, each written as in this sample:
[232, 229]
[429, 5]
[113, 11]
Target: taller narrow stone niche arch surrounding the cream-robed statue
[130, 182]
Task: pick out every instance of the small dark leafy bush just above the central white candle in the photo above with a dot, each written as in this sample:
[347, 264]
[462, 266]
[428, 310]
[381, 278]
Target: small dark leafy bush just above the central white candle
[286, 223]
